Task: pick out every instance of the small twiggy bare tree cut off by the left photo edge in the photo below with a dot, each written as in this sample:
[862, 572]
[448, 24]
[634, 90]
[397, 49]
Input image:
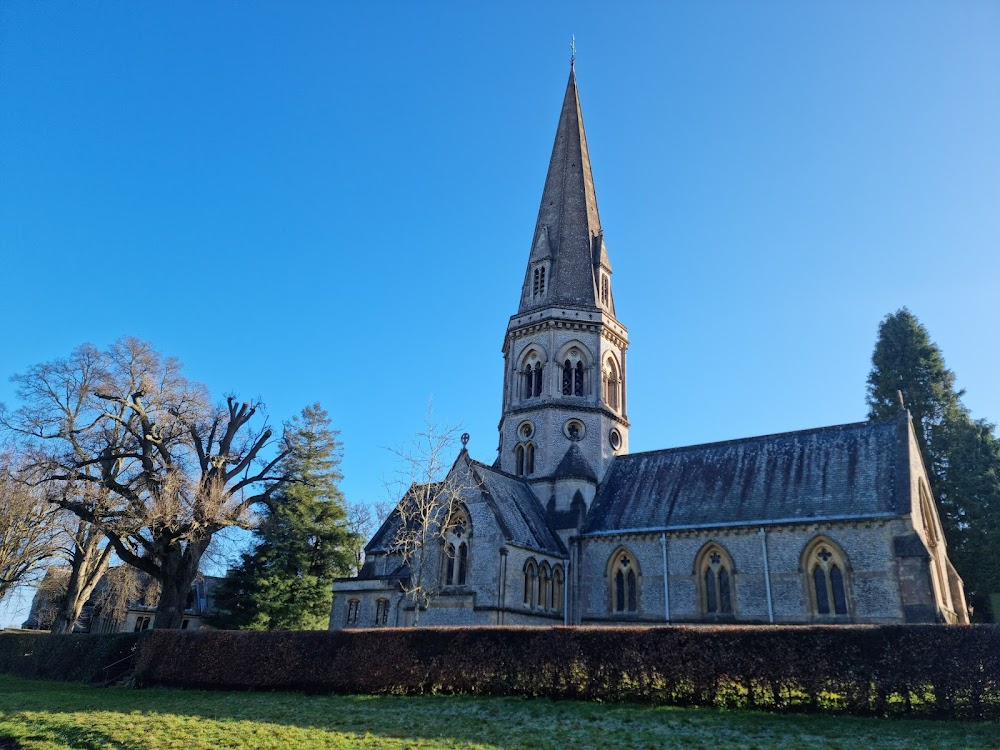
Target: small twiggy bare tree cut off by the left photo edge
[29, 532]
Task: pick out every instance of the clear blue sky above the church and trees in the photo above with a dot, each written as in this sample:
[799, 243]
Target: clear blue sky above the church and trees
[334, 202]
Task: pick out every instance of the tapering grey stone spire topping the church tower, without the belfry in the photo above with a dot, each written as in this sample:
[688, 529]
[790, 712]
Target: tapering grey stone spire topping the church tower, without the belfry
[568, 244]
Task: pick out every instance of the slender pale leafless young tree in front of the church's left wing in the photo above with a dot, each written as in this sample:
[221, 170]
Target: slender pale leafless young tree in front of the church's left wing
[431, 495]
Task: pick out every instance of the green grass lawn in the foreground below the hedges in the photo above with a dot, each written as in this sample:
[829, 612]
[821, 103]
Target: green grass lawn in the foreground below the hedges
[48, 715]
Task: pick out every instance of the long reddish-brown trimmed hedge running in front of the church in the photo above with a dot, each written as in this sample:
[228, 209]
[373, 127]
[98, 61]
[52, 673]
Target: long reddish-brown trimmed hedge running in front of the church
[928, 670]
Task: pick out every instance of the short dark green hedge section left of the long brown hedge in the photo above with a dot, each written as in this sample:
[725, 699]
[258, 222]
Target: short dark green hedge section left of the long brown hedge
[77, 658]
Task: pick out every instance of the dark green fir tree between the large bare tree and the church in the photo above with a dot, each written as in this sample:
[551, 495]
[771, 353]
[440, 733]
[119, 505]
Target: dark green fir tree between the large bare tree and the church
[285, 583]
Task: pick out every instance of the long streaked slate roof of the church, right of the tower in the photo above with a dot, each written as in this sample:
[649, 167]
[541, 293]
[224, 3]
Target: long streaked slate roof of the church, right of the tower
[831, 472]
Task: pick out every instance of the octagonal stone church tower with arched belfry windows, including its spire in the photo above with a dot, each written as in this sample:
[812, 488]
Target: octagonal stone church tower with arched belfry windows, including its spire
[564, 405]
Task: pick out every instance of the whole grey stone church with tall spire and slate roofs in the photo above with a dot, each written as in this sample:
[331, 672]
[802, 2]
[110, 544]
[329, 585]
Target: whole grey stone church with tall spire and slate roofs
[829, 525]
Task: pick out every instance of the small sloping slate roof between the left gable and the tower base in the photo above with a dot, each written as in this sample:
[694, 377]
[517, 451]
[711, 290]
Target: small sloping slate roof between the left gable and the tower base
[517, 510]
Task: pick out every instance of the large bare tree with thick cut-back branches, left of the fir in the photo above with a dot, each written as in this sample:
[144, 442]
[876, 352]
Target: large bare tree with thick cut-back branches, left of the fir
[175, 469]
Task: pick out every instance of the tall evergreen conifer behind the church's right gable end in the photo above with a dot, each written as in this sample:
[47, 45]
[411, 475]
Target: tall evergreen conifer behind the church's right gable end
[961, 454]
